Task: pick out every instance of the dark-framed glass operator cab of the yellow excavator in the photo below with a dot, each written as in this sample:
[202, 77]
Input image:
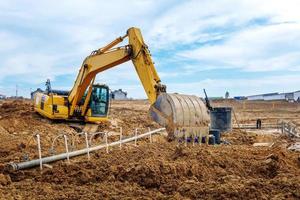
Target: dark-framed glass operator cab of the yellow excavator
[99, 101]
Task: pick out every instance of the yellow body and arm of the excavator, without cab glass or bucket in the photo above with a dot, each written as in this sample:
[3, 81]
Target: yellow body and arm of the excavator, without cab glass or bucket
[70, 107]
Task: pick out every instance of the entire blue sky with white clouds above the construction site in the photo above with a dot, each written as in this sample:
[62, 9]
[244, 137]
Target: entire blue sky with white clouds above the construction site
[244, 47]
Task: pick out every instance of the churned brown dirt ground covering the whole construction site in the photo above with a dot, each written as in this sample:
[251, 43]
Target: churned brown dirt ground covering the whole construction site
[157, 170]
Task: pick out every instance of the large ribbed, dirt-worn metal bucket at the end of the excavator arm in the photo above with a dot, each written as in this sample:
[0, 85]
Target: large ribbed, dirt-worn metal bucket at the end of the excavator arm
[182, 115]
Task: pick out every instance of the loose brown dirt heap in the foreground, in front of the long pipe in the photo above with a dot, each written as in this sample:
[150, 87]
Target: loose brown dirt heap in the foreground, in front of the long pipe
[167, 171]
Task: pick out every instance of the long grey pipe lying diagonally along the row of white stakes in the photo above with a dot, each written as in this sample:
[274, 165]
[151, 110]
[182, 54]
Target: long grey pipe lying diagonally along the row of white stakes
[49, 159]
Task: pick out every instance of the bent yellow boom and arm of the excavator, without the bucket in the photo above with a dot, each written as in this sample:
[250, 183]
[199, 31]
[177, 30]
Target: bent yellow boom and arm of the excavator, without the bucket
[108, 57]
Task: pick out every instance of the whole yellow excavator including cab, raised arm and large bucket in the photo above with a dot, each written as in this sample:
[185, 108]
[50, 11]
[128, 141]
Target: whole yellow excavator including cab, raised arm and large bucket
[88, 102]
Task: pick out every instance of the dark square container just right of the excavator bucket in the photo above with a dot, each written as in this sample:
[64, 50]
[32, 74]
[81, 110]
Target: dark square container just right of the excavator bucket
[220, 119]
